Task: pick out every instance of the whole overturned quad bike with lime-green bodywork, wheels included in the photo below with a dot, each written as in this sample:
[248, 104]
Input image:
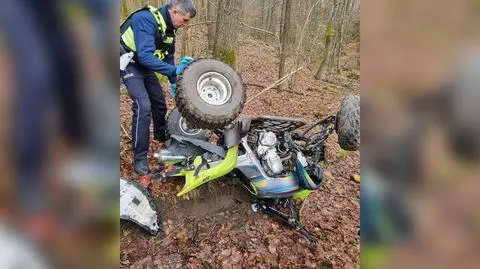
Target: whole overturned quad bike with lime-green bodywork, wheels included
[271, 158]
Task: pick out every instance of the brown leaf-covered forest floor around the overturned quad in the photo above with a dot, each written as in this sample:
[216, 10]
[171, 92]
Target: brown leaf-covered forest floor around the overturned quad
[214, 226]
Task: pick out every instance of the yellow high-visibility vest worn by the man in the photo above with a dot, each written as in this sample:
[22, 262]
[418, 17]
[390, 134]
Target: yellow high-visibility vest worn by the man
[163, 43]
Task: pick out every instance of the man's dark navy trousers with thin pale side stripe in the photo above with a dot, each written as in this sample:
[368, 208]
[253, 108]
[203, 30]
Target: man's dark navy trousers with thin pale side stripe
[148, 103]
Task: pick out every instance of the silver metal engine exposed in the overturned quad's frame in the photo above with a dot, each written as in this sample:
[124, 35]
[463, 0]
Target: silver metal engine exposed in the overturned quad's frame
[268, 153]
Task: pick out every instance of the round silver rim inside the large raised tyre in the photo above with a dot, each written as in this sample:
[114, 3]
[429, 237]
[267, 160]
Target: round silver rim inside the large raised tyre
[214, 88]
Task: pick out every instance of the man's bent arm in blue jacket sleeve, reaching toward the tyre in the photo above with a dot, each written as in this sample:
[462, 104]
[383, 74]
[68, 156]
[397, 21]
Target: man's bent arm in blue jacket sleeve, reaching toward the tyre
[145, 27]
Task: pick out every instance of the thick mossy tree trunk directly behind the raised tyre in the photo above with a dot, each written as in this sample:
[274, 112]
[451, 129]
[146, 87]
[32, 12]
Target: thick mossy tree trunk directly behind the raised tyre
[228, 27]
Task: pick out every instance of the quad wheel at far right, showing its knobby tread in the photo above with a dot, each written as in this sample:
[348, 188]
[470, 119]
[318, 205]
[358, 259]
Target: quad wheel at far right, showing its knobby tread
[348, 123]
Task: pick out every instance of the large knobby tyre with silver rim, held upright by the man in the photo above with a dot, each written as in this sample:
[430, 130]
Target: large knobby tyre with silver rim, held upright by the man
[210, 94]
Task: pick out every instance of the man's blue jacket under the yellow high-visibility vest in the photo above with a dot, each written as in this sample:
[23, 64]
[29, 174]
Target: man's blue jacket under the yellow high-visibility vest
[145, 29]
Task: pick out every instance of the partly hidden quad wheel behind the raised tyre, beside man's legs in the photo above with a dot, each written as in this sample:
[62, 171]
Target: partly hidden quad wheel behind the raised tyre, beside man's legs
[178, 125]
